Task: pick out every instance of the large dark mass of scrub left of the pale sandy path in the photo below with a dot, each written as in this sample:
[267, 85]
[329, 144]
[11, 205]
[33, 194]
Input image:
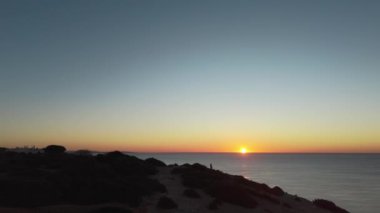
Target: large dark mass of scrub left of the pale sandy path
[54, 177]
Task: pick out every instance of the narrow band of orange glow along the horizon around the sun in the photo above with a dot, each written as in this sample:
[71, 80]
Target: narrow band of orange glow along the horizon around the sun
[261, 145]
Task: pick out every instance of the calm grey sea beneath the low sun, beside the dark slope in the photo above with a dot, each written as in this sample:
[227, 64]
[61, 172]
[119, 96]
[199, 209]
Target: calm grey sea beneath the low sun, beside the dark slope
[352, 181]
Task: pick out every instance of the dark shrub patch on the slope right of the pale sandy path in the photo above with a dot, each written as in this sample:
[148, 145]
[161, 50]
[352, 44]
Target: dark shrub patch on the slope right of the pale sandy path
[226, 188]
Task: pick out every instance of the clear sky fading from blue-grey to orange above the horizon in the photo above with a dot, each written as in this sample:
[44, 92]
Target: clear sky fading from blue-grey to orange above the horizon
[191, 76]
